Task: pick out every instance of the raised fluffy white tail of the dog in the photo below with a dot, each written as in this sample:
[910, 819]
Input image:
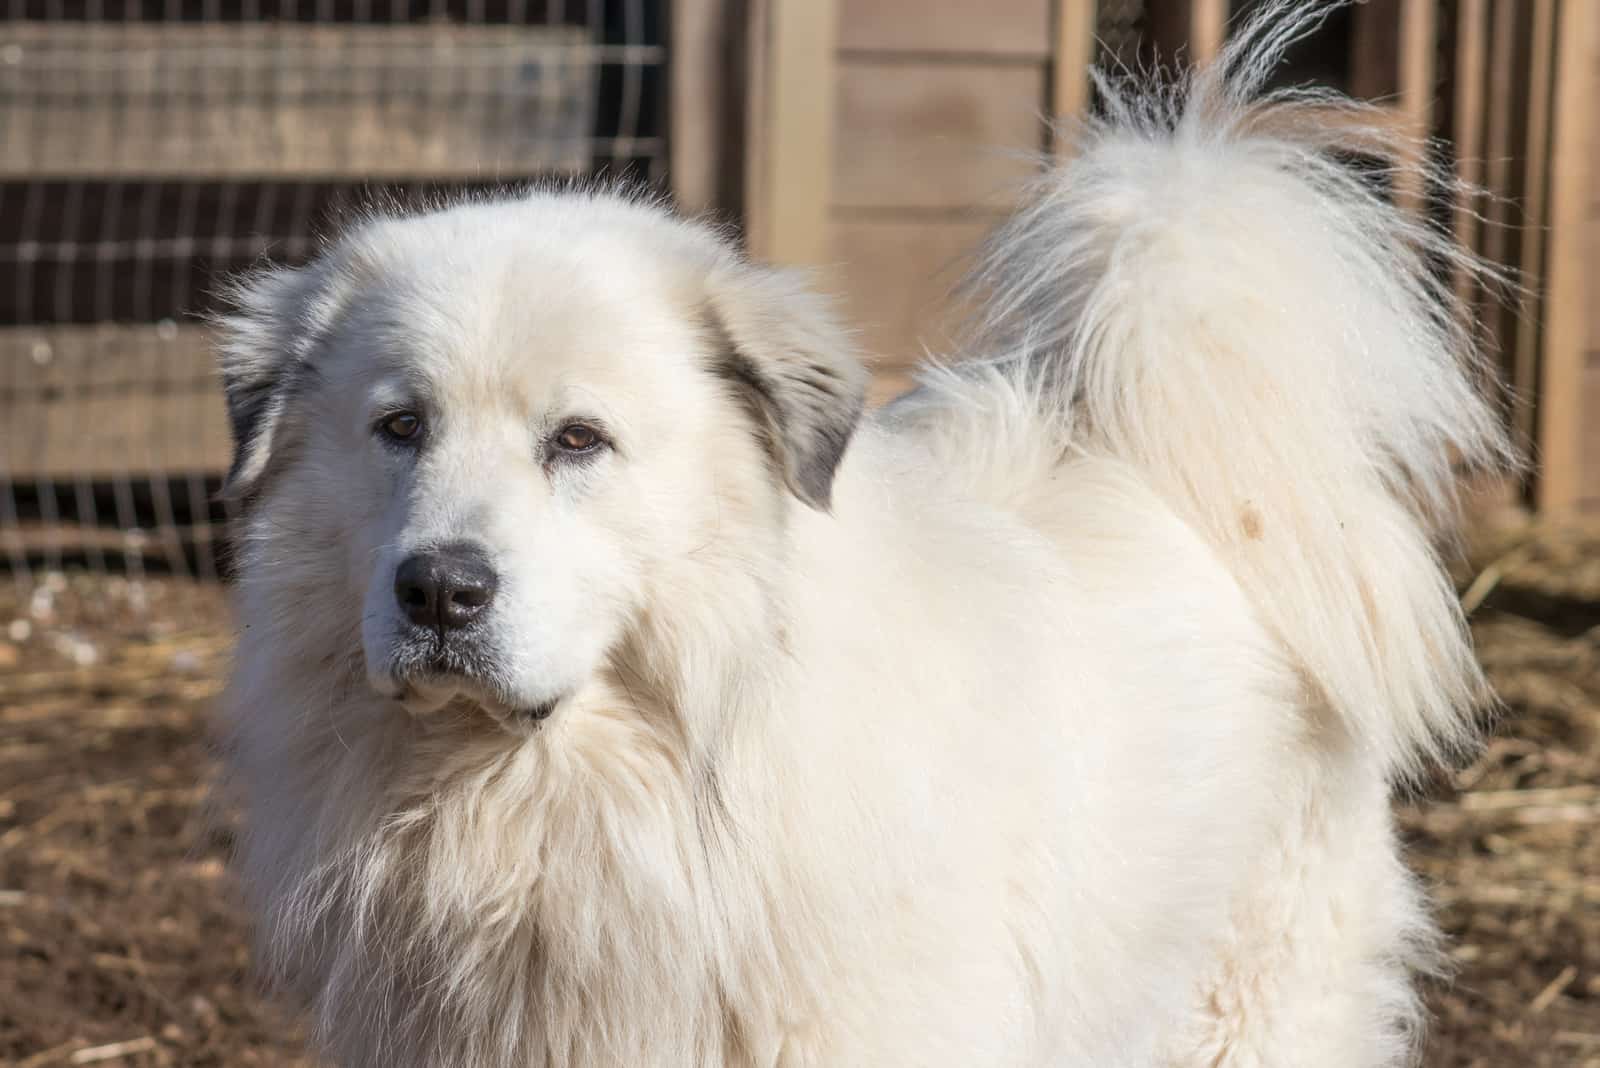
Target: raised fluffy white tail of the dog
[1207, 292]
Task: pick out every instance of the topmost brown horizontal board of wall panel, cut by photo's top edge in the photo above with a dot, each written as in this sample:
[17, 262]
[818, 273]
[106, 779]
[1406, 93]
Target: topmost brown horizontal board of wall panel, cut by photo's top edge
[996, 28]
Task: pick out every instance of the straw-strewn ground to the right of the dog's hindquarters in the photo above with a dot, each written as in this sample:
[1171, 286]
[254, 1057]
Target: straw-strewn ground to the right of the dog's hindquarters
[1513, 847]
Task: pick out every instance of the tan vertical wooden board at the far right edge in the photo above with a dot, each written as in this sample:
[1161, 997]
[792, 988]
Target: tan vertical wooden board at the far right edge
[1569, 292]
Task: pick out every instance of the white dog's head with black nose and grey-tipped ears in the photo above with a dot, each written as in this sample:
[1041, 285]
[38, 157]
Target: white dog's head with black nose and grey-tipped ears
[489, 444]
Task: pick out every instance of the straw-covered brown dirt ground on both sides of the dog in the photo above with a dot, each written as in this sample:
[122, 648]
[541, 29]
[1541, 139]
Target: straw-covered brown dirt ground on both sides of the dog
[121, 942]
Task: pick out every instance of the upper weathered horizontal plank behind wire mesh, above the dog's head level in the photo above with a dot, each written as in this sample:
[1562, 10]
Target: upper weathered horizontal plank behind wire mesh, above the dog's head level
[286, 100]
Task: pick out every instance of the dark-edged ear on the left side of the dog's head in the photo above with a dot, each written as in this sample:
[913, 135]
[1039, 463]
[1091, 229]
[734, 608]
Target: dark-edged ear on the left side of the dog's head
[265, 345]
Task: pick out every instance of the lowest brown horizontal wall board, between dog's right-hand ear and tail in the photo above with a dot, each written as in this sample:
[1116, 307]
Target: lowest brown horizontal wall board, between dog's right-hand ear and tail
[897, 277]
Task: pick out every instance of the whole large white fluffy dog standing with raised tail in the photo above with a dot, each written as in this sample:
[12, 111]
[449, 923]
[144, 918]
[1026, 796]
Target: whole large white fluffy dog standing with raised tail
[614, 690]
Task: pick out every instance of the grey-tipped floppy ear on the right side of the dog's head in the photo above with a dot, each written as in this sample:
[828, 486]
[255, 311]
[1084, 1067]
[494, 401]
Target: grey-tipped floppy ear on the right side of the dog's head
[780, 346]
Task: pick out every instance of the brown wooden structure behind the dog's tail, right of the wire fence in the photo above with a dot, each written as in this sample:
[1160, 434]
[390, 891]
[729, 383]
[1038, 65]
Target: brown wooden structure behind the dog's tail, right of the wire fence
[882, 140]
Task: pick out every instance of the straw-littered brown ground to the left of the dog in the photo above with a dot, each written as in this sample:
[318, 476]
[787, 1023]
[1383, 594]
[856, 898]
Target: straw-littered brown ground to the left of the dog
[121, 941]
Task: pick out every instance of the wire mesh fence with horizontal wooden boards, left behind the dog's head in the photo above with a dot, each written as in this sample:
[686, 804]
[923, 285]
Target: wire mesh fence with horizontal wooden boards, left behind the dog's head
[151, 149]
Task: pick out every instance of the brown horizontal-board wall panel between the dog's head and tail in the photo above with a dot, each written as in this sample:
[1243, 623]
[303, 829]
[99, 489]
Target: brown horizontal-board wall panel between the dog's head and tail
[942, 118]
